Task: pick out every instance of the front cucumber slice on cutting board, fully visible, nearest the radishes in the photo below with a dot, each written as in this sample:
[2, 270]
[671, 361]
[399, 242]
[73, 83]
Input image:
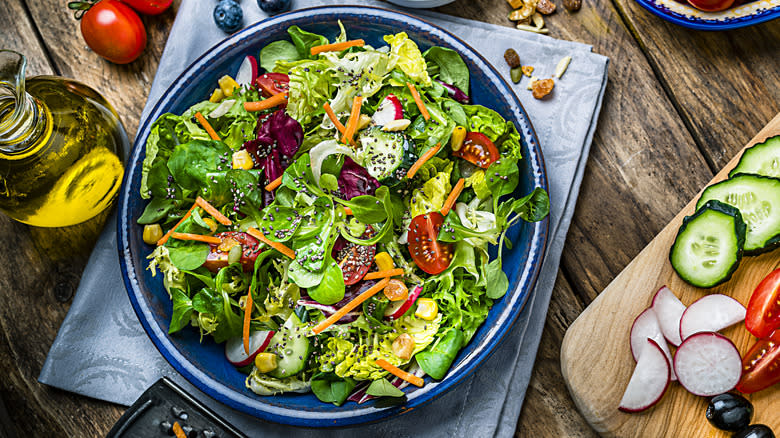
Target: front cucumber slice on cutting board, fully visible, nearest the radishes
[708, 246]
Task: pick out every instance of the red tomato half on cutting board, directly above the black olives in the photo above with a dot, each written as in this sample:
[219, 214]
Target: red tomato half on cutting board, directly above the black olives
[761, 365]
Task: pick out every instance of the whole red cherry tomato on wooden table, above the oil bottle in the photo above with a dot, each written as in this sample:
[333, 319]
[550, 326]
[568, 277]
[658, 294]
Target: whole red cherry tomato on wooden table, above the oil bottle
[114, 31]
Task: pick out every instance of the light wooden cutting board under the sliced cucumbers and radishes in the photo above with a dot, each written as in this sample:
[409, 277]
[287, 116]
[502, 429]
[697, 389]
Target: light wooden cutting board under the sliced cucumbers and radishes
[596, 358]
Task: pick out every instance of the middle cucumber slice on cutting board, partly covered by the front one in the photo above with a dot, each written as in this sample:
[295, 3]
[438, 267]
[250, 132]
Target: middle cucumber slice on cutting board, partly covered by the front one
[758, 199]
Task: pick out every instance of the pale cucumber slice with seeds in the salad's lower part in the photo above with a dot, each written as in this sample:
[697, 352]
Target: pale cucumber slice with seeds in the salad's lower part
[291, 346]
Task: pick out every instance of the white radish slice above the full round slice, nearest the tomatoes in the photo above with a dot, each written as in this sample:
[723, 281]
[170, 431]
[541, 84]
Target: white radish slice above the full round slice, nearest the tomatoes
[711, 313]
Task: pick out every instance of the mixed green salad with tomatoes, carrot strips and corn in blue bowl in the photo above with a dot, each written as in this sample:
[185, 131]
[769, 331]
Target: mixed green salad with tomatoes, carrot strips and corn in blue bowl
[329, 211]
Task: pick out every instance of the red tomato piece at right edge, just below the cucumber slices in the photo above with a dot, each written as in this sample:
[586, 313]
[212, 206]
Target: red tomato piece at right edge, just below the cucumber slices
[763, 311]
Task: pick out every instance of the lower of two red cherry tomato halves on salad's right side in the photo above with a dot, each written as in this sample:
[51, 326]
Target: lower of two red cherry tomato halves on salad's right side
[428, 253]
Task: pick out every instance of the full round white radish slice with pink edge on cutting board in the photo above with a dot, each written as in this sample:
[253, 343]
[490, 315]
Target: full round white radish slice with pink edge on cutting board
[708, 364]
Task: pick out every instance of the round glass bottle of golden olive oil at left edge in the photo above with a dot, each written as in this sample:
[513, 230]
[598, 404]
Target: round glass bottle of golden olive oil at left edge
[60, 151]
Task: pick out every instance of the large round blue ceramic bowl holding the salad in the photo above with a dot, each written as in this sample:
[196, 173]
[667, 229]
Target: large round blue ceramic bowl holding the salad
[204, 364]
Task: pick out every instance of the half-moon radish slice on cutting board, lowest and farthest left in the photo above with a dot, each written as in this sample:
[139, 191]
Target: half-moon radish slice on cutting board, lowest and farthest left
[650, 379]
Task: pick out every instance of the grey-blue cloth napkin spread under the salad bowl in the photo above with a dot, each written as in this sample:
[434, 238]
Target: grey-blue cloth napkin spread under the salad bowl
[102, 351]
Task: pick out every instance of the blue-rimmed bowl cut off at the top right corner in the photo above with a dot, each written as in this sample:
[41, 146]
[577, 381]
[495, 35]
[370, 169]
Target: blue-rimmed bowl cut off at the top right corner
[685, 15]
